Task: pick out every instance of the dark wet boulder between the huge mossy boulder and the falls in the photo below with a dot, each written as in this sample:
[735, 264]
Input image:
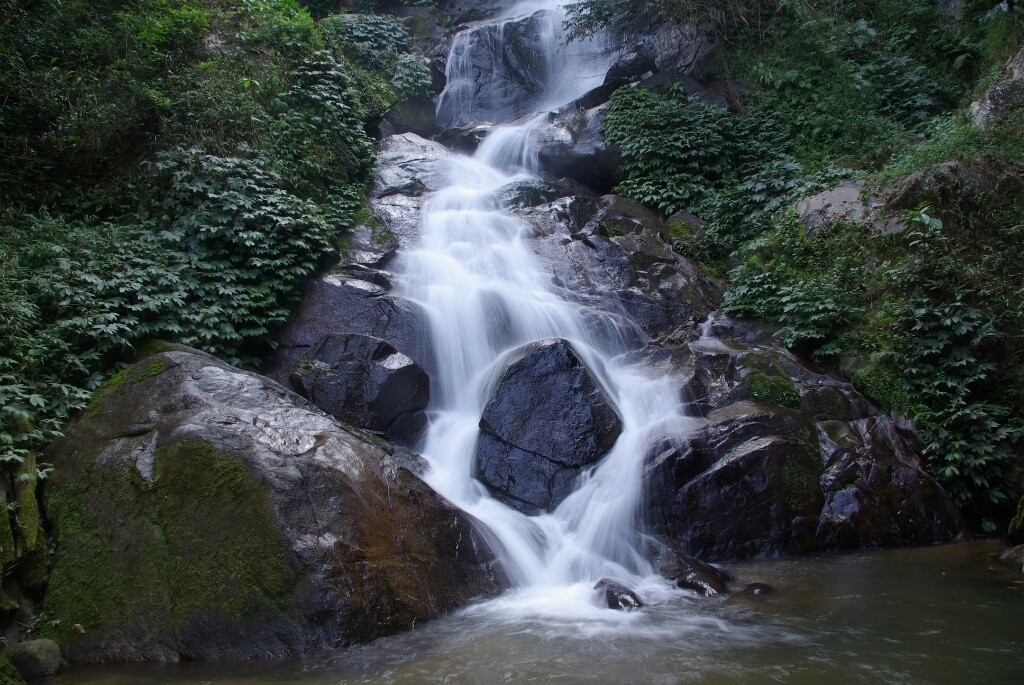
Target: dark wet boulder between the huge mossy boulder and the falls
[366, 382]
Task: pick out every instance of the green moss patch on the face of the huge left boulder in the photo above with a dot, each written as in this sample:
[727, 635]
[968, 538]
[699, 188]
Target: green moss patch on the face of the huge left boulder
[198, 546]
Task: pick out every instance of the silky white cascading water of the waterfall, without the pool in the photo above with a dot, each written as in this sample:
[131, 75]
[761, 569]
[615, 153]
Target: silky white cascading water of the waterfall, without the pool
[486, 295]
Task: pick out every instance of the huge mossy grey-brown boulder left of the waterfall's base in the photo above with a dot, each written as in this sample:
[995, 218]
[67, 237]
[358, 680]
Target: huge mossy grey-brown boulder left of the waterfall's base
[203, 512]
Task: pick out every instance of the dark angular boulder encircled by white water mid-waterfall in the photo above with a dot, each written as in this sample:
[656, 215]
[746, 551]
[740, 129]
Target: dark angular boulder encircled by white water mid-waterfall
[548, 419]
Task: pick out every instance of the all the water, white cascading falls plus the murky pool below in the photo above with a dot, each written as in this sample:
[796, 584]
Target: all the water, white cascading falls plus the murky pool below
[943, 615]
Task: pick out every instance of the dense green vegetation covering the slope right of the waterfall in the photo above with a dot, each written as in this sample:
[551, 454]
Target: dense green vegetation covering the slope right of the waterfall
[926, 322]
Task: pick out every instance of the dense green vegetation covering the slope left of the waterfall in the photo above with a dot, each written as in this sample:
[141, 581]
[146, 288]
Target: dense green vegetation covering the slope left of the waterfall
[173, 169]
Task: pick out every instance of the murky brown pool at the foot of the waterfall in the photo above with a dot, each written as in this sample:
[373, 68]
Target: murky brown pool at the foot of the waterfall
[940, 615]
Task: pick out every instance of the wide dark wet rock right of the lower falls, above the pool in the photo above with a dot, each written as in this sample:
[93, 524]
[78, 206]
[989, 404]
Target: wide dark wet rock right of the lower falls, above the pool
[789, 461]
